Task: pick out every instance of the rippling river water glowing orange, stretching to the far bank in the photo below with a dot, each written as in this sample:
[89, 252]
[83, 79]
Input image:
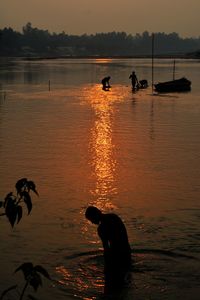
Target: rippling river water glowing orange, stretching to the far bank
[135, 154]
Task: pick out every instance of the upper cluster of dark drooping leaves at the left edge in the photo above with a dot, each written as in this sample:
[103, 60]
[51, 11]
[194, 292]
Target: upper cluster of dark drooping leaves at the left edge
[12, 203]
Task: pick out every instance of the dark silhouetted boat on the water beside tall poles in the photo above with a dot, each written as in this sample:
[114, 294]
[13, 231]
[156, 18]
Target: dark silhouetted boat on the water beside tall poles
[177, 85]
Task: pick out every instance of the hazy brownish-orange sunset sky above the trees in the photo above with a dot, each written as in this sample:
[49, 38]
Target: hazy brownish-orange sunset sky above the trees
[90, 16]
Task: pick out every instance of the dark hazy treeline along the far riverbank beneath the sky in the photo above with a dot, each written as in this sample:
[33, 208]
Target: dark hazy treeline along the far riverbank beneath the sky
[34, 42]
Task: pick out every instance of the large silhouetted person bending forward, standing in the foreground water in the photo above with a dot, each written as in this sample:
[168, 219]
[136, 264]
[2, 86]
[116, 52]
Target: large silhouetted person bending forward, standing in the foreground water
[117, 251]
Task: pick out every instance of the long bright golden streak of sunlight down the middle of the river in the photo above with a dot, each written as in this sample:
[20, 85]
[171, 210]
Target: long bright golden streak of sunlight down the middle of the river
[102, 147]
